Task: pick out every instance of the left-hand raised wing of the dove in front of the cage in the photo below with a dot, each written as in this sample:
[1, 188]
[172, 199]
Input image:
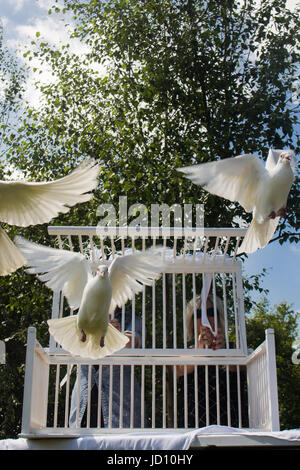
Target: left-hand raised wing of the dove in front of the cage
[58, 269]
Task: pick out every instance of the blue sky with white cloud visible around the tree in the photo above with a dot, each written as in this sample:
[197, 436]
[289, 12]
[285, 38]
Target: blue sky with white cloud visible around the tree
[21, 19]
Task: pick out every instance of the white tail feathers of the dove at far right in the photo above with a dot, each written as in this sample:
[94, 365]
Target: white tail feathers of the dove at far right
[258, 235]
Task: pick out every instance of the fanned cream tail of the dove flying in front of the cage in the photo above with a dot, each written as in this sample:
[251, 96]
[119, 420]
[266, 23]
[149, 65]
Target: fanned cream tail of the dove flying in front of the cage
[66, 332]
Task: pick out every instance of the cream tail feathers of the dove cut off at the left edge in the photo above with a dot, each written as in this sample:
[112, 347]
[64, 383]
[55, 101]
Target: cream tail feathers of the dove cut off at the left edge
[11, 258]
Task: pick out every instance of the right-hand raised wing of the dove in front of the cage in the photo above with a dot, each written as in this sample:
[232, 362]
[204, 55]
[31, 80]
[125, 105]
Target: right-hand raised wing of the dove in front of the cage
[129, 273]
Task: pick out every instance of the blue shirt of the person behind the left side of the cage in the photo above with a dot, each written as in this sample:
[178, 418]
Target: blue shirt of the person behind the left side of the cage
[105, 388]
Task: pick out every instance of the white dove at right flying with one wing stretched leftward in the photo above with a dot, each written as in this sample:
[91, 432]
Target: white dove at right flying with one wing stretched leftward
[260, 189]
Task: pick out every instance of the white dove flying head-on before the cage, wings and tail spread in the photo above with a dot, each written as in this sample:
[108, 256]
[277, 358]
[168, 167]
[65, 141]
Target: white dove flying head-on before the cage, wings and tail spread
[89, 334]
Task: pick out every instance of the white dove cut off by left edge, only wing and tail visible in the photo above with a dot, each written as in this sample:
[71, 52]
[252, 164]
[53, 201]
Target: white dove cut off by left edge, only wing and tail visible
[24, 203]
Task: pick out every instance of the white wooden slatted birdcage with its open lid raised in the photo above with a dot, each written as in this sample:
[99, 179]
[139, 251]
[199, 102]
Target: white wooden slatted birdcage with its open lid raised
[190, 254]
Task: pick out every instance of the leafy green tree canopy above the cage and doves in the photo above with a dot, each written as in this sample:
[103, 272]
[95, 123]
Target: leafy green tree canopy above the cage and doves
[165, 84]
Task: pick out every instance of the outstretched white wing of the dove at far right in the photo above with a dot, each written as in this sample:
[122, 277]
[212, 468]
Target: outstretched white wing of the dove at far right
[236, 179]
